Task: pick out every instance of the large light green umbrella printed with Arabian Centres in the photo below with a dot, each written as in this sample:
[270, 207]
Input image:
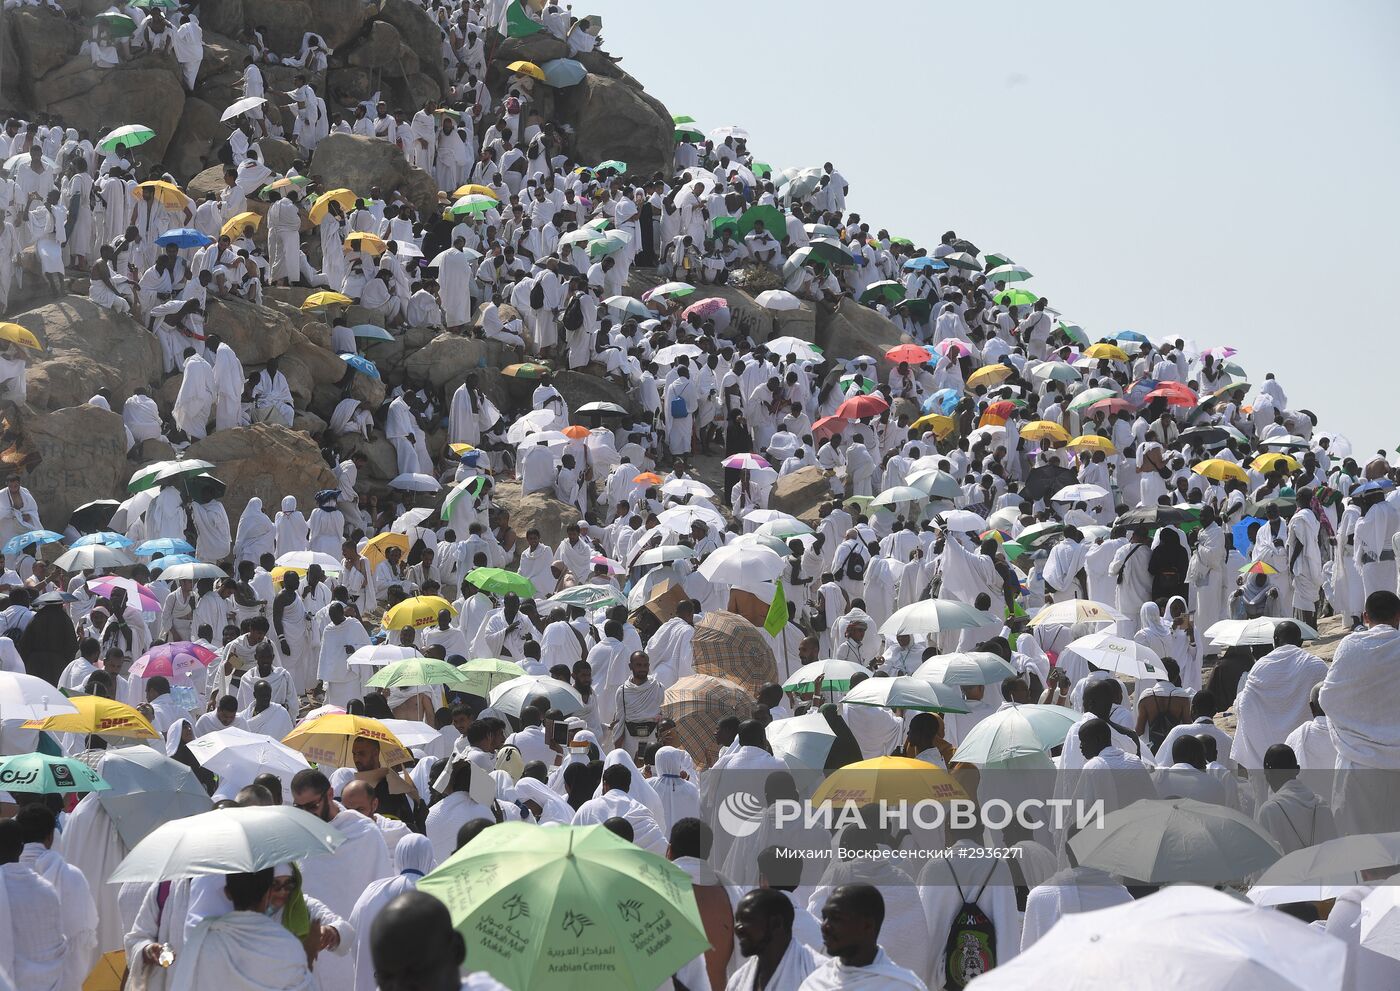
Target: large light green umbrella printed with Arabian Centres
[569, 909]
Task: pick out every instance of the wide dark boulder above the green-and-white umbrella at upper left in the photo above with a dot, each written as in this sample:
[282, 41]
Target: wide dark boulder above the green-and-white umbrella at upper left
[148, 90]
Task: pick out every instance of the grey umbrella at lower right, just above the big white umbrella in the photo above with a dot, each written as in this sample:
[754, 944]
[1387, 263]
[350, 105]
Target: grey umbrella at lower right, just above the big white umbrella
[1172, 841]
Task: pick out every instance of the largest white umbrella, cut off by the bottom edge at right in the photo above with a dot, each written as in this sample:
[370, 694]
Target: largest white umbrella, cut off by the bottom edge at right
[1184, 937]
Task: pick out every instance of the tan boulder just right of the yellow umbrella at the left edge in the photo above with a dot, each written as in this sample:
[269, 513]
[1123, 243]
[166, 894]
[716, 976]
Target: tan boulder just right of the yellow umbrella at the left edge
[86, 349]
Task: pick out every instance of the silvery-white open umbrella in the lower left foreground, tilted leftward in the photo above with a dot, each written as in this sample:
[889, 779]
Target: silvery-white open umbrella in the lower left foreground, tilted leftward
[229, 842]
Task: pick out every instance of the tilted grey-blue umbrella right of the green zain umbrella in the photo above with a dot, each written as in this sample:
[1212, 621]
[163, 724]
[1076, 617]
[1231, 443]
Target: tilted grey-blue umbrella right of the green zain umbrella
[146, 790]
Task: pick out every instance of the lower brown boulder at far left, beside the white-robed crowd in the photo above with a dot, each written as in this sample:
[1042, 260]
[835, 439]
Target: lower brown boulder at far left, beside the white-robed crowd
[82, 457]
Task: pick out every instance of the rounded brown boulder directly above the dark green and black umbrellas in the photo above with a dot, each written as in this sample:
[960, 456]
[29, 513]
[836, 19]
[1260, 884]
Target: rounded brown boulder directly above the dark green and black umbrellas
[267, 461]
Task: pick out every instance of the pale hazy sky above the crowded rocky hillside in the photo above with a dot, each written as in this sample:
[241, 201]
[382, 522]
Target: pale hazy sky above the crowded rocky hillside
[1224, 173]
